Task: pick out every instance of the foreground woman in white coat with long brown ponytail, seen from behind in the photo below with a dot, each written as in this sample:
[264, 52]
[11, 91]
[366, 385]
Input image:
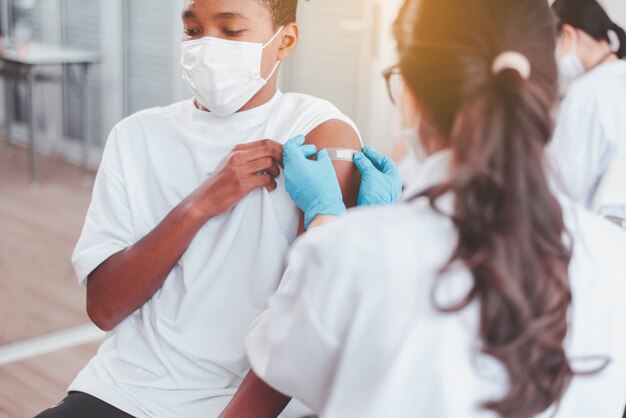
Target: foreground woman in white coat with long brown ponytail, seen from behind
[485, 294]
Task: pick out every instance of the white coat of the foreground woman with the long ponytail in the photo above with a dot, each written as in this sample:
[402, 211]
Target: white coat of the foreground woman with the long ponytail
[353, 332]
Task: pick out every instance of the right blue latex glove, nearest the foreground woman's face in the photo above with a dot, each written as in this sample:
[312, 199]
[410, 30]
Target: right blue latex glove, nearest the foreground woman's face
[381, 183]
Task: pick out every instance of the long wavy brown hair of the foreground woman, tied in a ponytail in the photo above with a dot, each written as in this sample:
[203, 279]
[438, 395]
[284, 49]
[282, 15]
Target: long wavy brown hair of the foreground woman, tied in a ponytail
[512, 236]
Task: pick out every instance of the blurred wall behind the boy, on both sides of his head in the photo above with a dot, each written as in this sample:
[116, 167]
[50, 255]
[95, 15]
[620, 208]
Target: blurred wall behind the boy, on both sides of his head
[344, 48]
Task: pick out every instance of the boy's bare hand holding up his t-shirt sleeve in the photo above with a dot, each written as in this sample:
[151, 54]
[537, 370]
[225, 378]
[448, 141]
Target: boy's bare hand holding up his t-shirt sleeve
[247, 168]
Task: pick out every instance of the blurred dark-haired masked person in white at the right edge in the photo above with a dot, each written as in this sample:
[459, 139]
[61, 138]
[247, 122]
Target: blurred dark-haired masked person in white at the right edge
[589, 145]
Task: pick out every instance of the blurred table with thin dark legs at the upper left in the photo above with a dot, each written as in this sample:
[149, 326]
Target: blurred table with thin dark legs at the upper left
[28, 65]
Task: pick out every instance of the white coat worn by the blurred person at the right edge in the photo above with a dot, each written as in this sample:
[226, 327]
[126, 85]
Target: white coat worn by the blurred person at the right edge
[591, 132]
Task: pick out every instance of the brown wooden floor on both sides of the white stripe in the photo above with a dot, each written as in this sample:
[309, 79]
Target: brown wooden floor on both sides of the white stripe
[38, 290]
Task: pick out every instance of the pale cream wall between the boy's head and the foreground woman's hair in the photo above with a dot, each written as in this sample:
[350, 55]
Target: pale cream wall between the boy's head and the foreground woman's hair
[343, 50]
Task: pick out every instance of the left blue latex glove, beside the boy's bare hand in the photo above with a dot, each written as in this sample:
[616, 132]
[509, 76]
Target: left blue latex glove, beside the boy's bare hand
[312, 185]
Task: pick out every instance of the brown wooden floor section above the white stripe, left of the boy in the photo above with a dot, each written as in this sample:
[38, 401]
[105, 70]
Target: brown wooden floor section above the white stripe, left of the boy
[38, 230]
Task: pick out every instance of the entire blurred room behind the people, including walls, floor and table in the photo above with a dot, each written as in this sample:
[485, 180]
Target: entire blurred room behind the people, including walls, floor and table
[98, 61]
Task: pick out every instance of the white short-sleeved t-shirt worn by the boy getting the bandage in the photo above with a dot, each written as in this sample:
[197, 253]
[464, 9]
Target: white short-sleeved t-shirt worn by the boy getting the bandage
[182, 354]
